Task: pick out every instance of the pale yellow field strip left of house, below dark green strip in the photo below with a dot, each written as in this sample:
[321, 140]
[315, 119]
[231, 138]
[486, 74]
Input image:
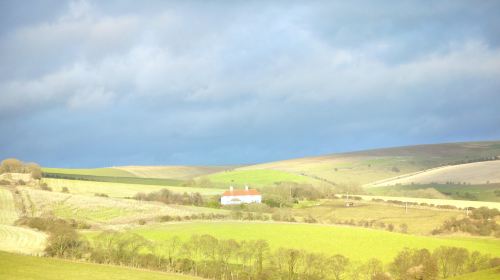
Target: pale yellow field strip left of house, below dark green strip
[119, 189]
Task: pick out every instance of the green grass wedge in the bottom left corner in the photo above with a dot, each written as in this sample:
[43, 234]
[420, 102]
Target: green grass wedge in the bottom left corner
[18, 267]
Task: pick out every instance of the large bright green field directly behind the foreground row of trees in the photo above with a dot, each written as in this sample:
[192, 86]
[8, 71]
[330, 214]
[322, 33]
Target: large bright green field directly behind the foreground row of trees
[355, 243]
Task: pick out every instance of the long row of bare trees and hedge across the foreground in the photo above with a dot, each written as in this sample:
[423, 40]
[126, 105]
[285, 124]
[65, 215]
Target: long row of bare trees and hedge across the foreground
[209, 257]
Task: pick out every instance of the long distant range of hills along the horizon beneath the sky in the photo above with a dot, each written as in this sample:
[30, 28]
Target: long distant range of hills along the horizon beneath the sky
[353, 168]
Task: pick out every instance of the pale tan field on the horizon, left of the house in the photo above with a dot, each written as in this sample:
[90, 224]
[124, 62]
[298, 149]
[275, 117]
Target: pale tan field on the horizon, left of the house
[171, 172]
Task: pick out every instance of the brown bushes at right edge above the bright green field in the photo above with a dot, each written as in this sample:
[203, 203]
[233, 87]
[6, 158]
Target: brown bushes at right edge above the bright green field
[482, 221]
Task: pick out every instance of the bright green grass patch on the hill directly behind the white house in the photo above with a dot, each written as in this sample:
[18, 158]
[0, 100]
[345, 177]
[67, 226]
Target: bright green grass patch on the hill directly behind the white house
[256, 178]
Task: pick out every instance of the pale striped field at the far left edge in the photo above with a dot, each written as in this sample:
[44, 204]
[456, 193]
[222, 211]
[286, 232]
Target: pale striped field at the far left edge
[14, 238]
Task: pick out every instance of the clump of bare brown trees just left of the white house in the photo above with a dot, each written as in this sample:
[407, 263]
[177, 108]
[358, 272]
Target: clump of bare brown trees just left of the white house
[169, 197]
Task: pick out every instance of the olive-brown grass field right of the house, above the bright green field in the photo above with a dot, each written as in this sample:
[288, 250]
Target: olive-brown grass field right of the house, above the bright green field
[419, 220]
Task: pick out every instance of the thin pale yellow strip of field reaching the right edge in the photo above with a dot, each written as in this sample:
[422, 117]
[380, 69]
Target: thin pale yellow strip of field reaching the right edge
[458, 203]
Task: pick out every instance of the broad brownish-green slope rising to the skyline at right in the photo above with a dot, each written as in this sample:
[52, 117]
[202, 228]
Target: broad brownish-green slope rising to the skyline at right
[368, 166]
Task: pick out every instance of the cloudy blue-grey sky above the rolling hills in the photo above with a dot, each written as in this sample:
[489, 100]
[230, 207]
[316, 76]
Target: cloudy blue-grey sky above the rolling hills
[107, 83]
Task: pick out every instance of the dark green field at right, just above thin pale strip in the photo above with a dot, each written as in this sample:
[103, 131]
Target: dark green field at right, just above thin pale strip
[481, 192]
